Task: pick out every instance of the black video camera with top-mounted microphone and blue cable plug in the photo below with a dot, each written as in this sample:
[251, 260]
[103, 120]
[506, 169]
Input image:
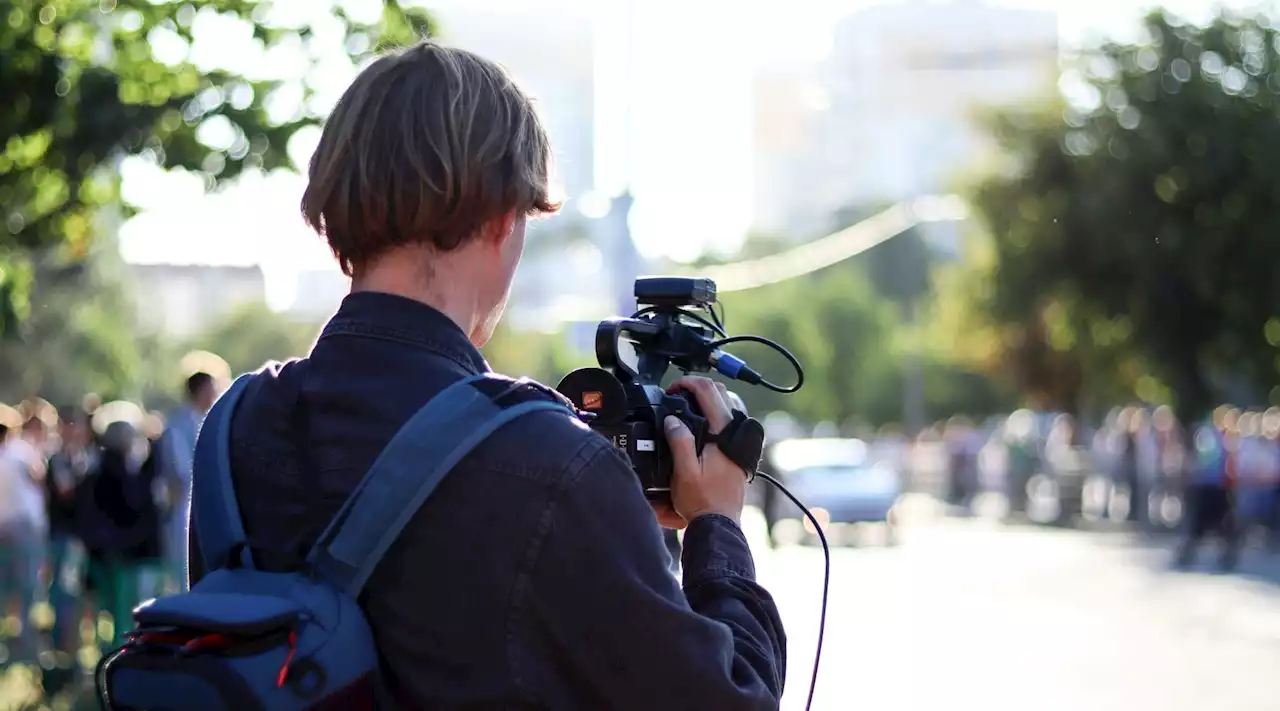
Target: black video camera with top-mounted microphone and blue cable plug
[624, 400]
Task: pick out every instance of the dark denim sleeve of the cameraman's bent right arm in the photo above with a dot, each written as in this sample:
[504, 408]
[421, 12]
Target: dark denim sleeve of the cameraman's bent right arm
[602, 594]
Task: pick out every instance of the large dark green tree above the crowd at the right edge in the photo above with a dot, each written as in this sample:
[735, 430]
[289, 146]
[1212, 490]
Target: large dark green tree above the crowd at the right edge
[1135, 234]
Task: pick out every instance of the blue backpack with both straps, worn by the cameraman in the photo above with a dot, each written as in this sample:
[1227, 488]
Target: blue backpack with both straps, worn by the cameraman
[245, 640]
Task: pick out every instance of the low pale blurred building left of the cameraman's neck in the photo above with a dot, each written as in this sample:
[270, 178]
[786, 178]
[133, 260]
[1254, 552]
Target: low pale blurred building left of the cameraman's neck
[182, 300]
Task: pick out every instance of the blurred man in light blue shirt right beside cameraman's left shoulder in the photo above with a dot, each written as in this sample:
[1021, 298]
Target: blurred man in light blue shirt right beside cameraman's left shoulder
[177, 454]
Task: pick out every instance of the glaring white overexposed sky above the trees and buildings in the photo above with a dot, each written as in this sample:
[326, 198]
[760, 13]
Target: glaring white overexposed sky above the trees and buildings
[692, 180]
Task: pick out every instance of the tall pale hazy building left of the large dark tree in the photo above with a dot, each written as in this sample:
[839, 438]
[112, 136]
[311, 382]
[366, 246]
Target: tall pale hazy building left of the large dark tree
[904, 84]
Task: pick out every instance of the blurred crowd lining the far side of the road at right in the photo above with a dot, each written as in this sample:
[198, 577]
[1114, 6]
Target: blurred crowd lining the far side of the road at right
[1141, 466]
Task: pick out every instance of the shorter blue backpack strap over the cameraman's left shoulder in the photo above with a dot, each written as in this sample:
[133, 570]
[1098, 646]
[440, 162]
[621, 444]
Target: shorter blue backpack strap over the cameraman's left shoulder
[214, 512]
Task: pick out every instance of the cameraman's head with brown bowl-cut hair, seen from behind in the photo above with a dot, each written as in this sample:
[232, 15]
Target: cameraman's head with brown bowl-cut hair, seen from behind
[424, 177]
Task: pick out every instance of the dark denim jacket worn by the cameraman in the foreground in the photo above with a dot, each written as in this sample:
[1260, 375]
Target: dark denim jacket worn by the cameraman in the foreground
[536, 577]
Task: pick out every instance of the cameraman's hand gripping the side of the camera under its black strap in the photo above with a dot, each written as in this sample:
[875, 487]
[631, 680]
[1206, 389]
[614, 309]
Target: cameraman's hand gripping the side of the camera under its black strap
[707, 485]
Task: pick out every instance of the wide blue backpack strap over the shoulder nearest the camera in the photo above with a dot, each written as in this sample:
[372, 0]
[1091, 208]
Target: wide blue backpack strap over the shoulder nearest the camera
[408, 472]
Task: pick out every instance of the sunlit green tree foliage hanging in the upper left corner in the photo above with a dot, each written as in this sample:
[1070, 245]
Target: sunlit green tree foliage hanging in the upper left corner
[85, 86]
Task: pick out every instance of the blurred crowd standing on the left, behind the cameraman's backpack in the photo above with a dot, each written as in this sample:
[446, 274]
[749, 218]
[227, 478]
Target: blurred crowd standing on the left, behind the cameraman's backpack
[93, 517]
